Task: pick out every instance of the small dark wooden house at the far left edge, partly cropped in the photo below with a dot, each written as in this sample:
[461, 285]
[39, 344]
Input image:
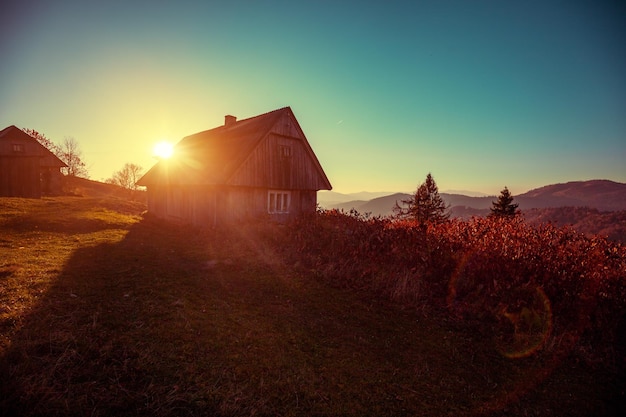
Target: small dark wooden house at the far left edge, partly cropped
[27, 168]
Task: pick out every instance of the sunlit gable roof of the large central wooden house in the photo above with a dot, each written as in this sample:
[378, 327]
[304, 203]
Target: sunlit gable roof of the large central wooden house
[214, 156]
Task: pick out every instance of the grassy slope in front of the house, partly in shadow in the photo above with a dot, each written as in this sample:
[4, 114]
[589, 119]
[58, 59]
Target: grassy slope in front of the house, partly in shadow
[104, 312]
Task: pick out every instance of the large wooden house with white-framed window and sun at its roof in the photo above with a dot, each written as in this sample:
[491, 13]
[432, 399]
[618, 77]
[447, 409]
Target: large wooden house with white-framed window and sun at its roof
[260, 167]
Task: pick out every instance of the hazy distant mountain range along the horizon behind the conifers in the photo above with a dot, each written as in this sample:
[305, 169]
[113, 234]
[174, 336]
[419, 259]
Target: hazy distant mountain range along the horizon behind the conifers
[603, 195]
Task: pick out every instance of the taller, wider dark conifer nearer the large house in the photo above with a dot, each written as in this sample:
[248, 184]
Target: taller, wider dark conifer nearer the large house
[426, 205]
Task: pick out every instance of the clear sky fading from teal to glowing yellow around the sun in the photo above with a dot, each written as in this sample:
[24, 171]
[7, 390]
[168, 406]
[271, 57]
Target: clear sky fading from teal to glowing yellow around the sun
[482, 94]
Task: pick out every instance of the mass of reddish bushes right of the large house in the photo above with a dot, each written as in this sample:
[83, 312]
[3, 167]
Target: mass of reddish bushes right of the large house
[538, 283]
